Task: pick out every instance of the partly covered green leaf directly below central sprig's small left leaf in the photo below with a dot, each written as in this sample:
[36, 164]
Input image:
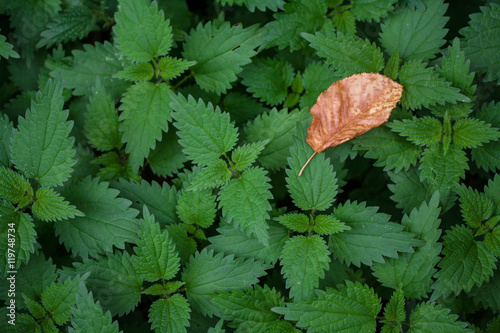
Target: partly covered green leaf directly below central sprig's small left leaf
[197, 207]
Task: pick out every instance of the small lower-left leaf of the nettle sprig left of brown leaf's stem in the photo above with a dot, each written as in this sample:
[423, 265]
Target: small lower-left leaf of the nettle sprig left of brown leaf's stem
[215, 174]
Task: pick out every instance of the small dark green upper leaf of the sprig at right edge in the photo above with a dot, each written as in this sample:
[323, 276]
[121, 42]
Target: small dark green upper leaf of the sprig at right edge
[475, 207]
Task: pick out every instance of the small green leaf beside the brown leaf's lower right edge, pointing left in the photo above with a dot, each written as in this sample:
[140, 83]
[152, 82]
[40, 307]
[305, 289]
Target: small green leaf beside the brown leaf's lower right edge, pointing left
[425, 131]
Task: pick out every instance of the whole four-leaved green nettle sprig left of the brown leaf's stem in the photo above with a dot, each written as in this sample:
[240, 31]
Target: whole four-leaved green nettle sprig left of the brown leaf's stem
[207, 134]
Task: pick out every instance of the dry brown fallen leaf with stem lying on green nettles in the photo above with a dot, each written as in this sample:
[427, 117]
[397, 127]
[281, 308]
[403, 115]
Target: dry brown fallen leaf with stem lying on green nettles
[351, 107]
